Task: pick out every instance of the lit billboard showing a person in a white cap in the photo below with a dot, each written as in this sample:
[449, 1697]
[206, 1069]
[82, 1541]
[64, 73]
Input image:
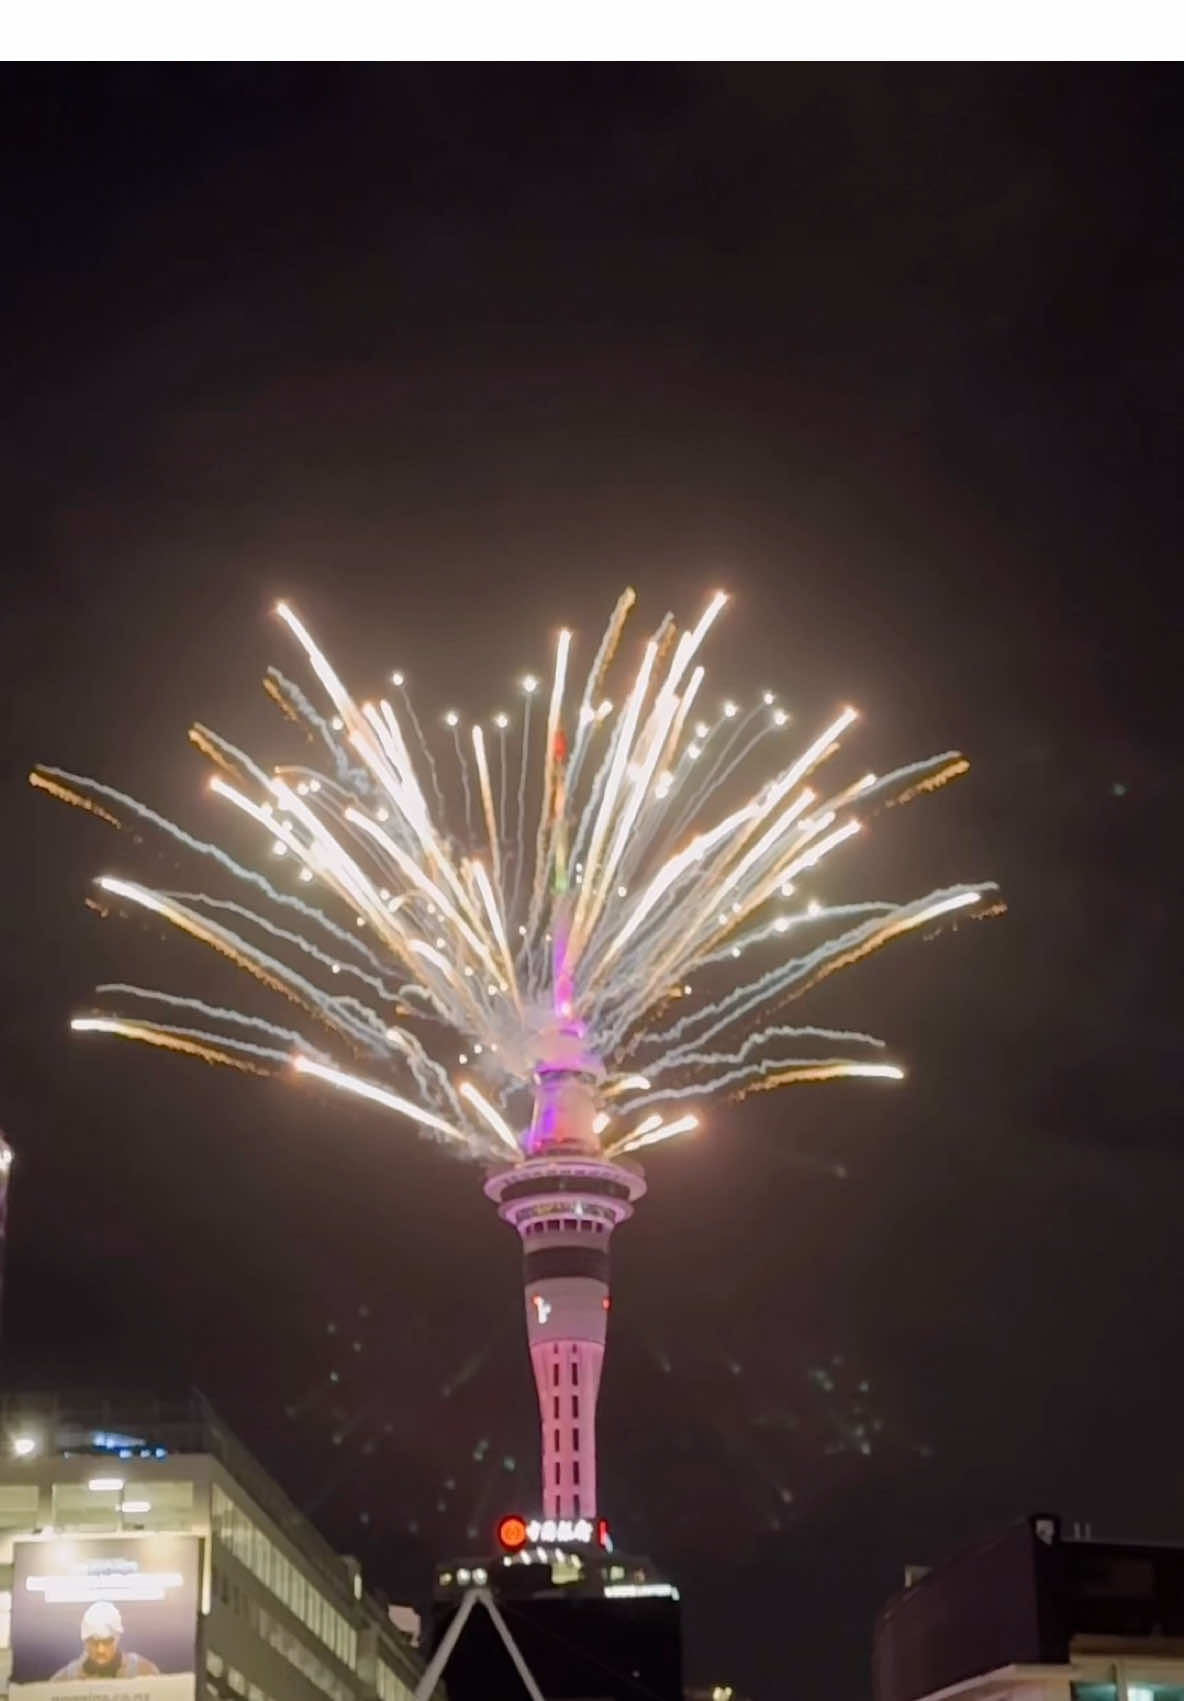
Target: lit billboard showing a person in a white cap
[106, 1617]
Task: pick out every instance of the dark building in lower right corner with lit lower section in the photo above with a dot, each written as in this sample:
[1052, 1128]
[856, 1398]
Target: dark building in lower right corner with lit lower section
[1037, 1617]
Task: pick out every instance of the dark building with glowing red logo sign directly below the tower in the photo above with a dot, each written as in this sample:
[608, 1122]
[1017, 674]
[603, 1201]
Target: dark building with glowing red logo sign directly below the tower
[590, 1624]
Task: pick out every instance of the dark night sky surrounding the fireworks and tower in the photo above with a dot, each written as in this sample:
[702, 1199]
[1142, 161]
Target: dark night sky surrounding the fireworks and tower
[448, 356]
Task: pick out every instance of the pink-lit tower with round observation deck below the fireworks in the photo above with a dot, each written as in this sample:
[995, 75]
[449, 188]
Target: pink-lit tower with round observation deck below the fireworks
[566, 1203]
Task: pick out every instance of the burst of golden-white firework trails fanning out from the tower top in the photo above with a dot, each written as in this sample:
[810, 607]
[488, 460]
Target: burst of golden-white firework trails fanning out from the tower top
[644, 943]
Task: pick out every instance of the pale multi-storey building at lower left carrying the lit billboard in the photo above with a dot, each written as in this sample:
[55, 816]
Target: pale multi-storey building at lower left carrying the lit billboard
[154, 1525]
